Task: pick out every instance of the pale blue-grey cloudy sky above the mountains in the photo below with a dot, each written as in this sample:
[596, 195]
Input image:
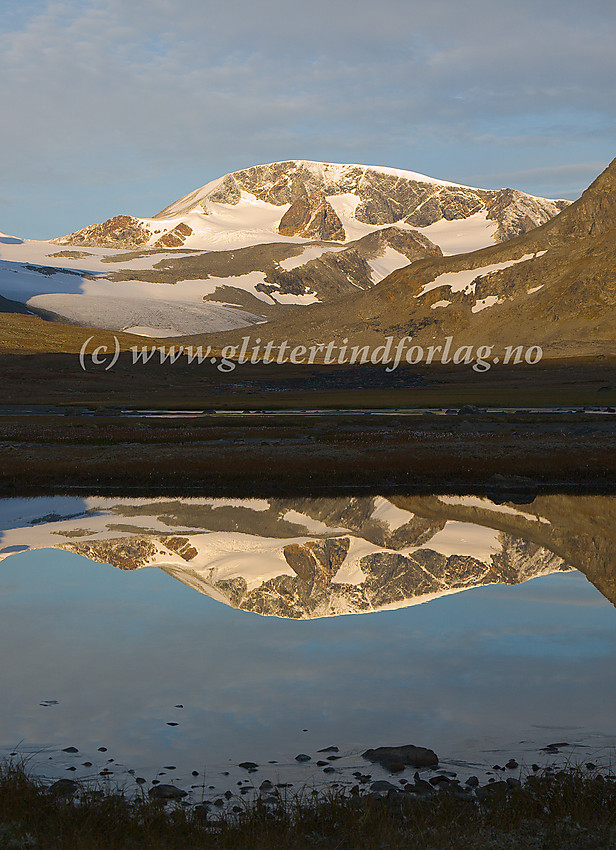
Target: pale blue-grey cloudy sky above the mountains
[111, 107]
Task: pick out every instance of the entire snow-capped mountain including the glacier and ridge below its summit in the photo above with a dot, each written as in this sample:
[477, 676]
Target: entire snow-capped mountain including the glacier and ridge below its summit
[252, 244]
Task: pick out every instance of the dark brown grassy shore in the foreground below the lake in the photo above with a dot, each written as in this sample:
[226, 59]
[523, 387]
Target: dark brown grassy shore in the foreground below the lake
[571, 810]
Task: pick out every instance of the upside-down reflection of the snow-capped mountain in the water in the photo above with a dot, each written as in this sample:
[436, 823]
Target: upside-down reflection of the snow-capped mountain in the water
[297, 558]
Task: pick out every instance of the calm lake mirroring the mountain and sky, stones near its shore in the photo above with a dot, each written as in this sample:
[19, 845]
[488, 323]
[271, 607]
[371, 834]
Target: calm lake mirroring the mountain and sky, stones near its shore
[186, 636]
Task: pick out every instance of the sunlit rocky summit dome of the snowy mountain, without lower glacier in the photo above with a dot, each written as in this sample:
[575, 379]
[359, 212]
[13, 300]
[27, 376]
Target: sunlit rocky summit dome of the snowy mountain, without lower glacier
[302, 200]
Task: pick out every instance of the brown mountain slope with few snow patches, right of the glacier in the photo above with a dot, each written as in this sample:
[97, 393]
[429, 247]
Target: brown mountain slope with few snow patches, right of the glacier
[554, 286]
